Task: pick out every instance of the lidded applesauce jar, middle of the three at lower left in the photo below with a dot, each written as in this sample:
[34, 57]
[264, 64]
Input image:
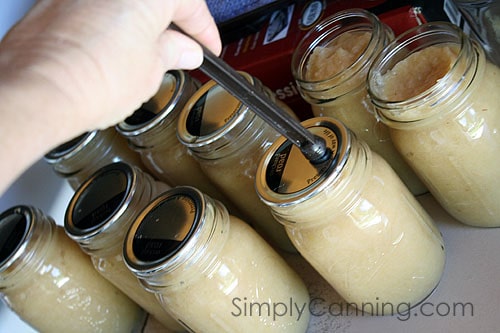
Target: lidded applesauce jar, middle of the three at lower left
[98, 217]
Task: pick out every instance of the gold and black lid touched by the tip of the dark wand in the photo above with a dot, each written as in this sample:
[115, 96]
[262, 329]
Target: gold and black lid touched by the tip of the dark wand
[285, 176]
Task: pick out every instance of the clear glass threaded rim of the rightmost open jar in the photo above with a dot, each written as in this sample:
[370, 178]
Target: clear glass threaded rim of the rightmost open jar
[408, 43]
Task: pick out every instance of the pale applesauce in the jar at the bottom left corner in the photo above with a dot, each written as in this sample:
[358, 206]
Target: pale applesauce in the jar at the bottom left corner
[75, 297]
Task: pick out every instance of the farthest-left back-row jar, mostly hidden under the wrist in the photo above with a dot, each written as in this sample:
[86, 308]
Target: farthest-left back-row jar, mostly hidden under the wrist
[78, 159]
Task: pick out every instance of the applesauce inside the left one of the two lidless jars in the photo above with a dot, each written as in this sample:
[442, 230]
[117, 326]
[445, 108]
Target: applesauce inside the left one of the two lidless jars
[347, 99]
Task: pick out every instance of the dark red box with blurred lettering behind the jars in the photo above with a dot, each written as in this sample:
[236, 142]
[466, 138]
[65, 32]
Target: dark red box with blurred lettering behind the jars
[267, 53]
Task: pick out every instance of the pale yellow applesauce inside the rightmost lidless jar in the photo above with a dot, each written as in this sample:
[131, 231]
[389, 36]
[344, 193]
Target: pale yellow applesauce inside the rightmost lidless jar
[453, 146]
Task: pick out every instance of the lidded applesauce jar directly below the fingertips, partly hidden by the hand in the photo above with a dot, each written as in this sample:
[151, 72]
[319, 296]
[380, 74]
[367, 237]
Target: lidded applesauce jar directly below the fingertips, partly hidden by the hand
[151, 131]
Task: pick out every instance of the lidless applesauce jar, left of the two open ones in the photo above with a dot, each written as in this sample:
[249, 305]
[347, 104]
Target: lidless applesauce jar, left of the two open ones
[330, 66]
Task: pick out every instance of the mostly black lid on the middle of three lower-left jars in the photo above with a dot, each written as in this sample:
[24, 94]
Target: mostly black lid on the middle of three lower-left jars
[98, 200]
